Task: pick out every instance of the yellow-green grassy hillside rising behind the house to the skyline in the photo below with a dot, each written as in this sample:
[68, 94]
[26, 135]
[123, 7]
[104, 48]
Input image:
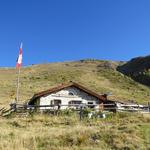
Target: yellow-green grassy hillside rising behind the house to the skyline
[97, 75]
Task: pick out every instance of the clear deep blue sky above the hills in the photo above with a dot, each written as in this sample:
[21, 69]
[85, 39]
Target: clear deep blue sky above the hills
[63, 30]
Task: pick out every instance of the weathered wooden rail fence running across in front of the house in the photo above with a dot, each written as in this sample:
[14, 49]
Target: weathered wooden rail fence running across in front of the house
[23, 109]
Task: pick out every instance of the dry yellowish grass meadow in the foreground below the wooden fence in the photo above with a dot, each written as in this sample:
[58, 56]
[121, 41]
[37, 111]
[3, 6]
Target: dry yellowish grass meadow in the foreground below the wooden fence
[67, 132]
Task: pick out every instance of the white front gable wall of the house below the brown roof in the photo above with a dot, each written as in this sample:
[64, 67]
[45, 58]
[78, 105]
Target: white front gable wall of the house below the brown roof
[64, 96]
